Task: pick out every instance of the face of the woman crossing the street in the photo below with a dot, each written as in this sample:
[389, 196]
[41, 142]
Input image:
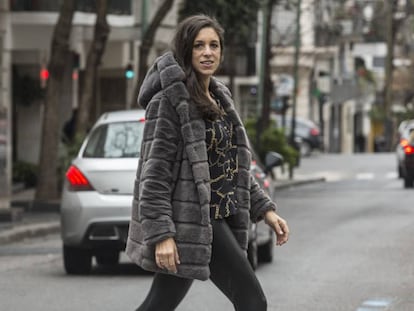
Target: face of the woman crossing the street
[206, 53]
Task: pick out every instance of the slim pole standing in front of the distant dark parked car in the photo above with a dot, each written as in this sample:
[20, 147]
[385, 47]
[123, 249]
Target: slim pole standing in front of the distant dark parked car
[296, 71]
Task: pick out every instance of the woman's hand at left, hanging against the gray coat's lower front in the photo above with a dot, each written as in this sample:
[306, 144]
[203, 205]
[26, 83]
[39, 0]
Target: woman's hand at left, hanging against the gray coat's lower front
[166, 255]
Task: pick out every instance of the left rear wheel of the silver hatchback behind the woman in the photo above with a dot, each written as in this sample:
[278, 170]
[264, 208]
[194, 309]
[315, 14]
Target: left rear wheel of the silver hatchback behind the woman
[76, 260]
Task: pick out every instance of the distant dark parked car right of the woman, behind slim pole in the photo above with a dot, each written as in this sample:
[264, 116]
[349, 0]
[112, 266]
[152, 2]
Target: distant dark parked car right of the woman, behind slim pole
[306, 131]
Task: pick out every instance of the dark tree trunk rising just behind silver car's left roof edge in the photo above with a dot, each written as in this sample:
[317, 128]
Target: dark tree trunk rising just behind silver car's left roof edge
[93, 61]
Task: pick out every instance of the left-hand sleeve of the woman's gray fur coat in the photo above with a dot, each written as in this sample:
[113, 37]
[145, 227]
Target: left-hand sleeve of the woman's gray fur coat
[160, 142]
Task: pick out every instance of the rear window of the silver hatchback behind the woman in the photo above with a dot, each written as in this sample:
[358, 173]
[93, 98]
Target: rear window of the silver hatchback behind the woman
[115, 140]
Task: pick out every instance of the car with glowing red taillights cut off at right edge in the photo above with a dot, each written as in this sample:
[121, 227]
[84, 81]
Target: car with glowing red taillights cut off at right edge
[405, 156]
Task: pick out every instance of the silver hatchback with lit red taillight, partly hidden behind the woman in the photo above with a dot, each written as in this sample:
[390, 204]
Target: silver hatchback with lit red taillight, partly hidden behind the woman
[97, 194]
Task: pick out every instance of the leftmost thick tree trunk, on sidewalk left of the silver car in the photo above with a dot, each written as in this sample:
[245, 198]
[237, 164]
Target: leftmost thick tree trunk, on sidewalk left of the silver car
[47, 186]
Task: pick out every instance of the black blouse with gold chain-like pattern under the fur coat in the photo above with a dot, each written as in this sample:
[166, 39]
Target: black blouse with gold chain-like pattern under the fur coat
[223, 162]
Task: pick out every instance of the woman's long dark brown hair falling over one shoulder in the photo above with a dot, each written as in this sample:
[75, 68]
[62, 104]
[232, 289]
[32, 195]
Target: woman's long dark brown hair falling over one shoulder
[182, 47]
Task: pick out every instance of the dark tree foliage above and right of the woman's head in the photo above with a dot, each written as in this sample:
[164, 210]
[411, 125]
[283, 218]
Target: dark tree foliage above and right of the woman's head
[238, 18]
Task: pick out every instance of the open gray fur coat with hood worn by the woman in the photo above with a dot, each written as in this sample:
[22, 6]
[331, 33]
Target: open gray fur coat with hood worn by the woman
[172, 190]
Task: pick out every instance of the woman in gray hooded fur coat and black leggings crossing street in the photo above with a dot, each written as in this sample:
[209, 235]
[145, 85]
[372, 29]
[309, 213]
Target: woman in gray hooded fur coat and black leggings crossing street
[194, 196]
